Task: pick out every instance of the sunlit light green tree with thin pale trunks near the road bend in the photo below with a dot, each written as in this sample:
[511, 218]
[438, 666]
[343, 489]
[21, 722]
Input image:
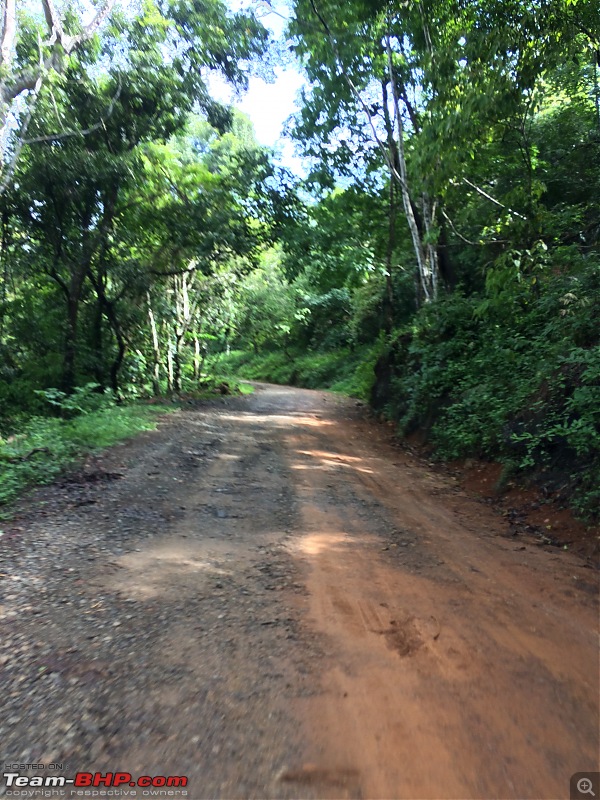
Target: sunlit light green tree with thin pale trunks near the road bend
[215, 214]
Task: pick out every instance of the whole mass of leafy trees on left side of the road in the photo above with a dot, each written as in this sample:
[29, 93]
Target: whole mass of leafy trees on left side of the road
[134, 202]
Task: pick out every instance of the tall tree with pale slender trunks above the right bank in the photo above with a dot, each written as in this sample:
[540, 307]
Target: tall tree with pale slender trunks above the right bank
[418, 87]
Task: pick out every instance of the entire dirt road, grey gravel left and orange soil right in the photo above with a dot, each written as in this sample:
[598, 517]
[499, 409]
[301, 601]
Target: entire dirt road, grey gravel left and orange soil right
[269, 598]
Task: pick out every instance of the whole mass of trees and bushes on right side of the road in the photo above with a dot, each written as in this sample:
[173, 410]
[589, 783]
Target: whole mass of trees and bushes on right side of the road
[461, 257]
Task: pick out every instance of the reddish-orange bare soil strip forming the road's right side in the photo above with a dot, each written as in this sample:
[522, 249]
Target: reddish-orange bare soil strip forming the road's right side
[460, 664]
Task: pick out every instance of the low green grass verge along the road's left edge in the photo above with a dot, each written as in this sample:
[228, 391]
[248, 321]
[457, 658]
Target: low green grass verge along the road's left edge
[42, 447]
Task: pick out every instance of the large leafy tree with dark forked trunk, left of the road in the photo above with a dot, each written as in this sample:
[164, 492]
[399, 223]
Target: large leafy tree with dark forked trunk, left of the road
[73, 191]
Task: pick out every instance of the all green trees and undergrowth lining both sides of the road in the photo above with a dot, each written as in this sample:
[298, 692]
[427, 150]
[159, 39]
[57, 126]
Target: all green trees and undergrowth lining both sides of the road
[441, 260]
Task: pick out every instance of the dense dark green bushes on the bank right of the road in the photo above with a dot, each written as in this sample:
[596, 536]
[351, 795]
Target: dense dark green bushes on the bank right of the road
[519, 388]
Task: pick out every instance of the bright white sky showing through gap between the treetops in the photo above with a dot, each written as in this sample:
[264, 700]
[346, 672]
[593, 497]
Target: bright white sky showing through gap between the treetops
[269, 104]
